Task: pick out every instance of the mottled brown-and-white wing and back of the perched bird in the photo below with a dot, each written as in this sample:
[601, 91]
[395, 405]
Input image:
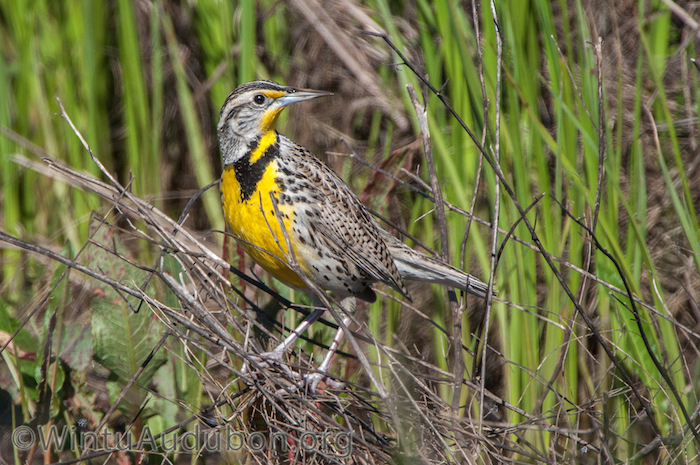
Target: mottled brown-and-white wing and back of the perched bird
[347, 251]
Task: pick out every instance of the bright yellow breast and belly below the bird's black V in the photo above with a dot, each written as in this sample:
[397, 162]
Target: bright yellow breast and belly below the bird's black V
[251, 217]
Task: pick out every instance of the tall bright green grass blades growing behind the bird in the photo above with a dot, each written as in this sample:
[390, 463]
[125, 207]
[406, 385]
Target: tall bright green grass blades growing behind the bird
[113, 84]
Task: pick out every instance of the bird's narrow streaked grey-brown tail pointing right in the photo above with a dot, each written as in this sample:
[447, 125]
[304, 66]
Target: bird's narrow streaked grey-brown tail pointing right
[415, 266]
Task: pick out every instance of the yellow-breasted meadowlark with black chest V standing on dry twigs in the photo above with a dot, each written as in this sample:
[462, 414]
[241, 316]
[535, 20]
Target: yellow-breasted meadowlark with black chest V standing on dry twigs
[337, 243]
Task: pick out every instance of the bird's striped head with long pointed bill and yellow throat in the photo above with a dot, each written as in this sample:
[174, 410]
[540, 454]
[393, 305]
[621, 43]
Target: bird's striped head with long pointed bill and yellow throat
[251, 111]
